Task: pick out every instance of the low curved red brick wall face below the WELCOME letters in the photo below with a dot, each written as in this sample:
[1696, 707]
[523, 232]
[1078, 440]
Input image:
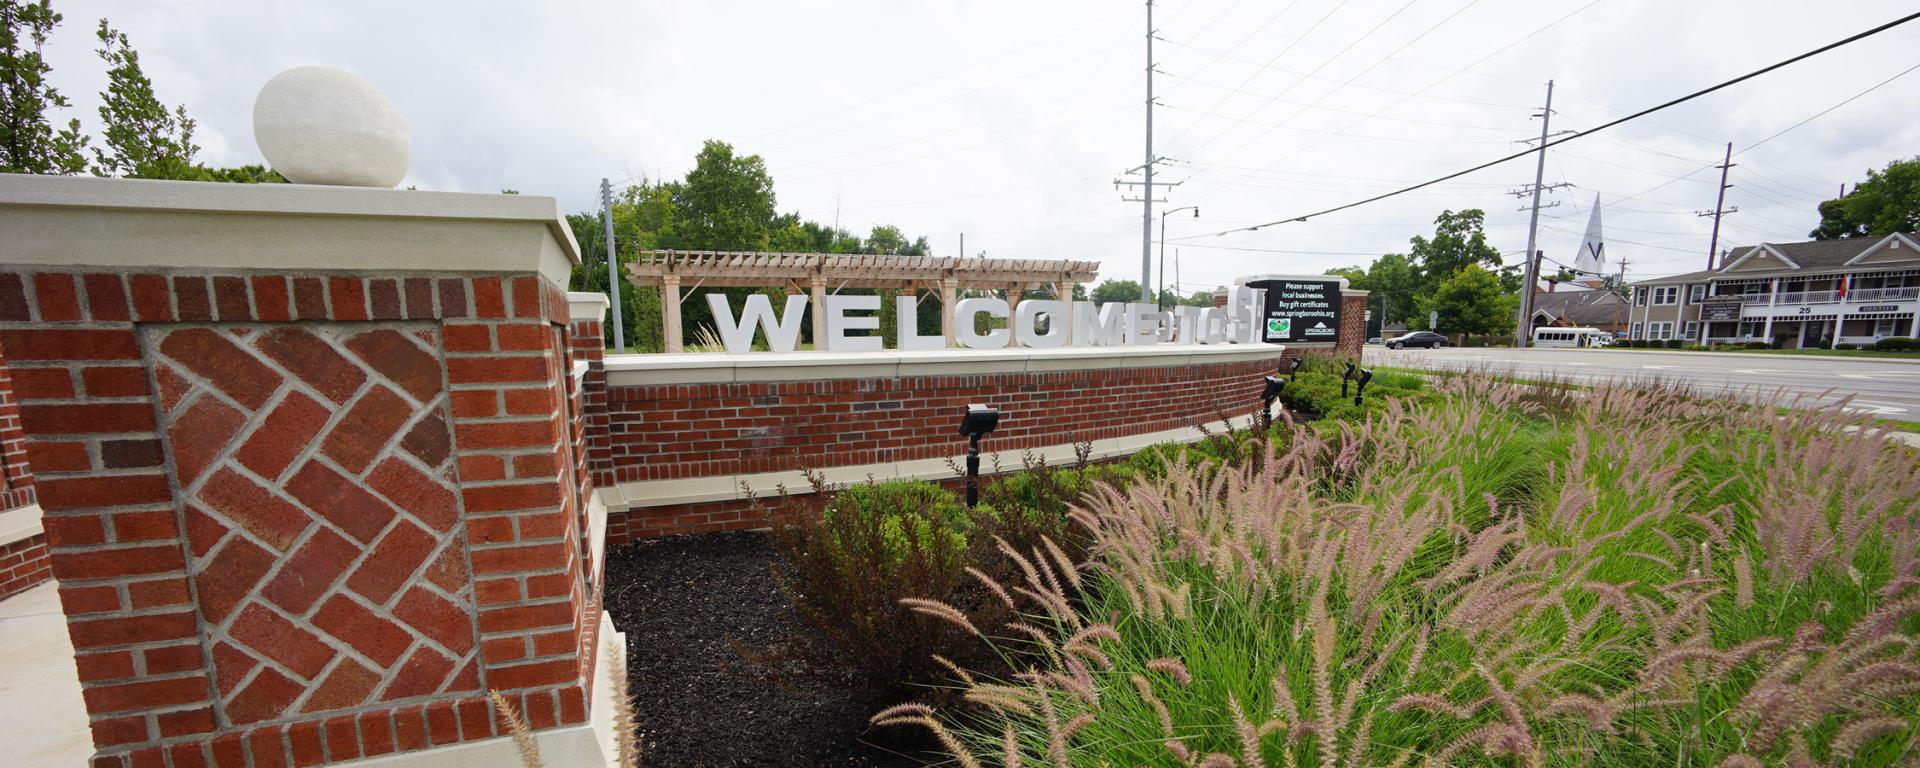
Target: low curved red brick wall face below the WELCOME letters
[692, 431]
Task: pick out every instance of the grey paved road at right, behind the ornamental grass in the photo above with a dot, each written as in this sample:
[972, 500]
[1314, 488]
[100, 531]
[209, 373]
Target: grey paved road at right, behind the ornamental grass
[1888, 389]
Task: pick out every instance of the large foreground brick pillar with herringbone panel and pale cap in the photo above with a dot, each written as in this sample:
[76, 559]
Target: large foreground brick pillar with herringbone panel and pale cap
[302, 514]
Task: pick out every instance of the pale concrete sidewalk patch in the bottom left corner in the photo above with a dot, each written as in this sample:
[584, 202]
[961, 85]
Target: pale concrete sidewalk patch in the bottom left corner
[43, 721]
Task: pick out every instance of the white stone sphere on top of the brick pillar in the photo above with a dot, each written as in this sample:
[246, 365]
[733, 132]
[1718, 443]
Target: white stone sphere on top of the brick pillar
[322, 126]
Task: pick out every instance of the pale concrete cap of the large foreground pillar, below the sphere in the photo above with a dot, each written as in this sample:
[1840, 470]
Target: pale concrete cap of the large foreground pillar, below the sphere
[295, 228]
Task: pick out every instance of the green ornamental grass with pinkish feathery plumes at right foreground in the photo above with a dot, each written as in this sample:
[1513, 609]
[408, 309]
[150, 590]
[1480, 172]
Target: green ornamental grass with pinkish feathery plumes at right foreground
[1495, 575]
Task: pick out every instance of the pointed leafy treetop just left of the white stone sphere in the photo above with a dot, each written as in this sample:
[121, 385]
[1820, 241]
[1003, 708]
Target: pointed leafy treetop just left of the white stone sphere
[143, 137]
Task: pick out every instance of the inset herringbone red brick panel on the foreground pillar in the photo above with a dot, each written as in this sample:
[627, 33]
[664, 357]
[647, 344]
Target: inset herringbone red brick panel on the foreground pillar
[325, 542]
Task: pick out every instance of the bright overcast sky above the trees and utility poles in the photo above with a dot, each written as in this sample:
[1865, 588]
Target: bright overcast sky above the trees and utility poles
[1011, 120]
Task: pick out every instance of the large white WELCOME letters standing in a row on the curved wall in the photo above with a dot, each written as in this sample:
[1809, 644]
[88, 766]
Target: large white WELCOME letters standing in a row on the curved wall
[1036, 324]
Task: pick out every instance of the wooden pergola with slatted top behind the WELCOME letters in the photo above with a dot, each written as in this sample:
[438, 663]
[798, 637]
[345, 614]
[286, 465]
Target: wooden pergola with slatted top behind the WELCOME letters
[828, 274]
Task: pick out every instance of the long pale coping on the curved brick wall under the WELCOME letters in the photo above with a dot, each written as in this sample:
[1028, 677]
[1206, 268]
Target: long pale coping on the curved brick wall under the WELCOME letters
[894, 364]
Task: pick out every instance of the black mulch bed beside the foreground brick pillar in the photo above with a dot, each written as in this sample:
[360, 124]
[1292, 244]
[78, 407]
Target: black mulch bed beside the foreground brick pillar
[706, 627]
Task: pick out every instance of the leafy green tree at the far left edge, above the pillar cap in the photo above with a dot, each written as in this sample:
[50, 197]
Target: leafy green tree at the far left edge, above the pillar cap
[28, 137]
